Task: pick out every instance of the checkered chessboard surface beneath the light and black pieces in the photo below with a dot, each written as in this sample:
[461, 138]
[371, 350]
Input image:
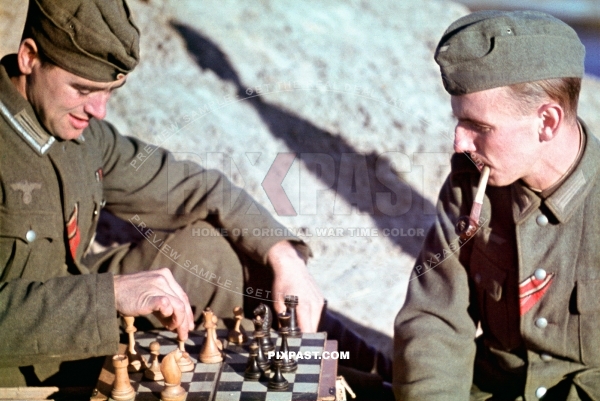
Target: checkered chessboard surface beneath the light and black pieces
[224, 381]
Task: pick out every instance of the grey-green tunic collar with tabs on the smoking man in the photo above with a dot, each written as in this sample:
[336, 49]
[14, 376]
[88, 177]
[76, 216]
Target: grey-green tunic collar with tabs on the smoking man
[571, 193]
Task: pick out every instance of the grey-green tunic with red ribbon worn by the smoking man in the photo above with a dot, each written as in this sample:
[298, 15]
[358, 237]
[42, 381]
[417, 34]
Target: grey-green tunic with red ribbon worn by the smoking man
[530, 277]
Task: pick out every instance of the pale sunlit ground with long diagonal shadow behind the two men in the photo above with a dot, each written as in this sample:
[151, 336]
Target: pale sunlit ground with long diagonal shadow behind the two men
[346, 92]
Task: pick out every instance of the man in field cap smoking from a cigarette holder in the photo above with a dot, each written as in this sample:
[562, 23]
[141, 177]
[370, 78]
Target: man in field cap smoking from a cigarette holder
[530, 275]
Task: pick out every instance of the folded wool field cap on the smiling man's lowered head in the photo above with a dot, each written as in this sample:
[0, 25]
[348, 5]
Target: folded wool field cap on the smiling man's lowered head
[94, 39]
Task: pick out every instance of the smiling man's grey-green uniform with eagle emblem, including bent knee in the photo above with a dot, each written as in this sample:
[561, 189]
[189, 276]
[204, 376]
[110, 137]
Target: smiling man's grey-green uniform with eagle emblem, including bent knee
[52, 192]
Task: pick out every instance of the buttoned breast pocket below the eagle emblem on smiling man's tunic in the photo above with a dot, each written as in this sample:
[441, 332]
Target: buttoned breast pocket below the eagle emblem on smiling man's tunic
[31, 245]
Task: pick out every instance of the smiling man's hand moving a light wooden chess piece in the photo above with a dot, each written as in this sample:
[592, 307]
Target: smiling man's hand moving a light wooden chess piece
[158, 293]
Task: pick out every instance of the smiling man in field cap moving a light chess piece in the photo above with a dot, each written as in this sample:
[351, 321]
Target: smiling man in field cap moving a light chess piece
[61, 165]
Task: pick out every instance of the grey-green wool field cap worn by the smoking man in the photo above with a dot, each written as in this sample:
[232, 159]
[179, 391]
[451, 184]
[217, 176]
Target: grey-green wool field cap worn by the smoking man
[490, 49]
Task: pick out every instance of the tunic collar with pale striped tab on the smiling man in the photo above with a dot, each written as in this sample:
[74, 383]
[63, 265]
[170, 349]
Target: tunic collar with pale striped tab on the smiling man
[19, 114]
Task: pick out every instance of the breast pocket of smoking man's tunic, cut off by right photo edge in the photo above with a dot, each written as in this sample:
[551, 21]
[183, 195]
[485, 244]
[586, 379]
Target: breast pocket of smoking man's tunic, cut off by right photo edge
[588, 307]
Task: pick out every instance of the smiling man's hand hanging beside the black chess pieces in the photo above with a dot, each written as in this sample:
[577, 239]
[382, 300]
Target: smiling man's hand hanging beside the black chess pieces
[292, 278]
